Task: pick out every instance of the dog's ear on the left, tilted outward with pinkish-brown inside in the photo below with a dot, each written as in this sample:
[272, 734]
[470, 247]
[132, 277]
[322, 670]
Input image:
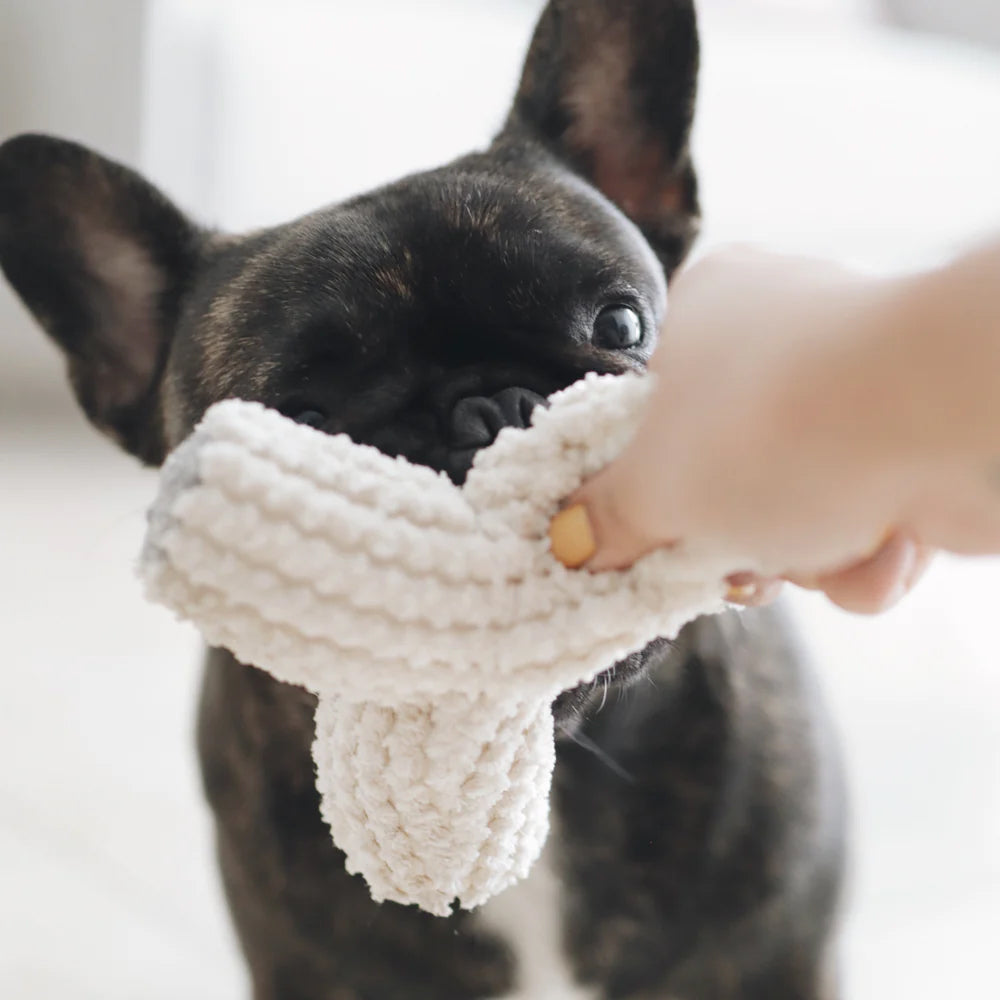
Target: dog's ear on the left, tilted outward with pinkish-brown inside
[101, 258]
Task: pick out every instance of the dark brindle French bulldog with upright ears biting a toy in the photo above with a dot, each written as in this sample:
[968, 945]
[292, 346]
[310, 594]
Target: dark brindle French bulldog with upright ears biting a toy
[697, 841]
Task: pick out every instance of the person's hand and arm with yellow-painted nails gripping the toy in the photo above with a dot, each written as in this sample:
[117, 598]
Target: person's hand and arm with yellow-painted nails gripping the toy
[833, 428]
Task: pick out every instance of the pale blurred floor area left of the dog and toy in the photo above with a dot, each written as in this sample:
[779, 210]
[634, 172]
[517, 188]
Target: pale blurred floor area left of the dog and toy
[108, 888]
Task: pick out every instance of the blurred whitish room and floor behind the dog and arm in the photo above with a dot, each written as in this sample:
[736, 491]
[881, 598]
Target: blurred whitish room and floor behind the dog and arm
[862, 129]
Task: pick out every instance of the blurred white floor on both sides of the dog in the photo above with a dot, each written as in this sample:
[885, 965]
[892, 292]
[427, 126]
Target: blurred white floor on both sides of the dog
[108, 887]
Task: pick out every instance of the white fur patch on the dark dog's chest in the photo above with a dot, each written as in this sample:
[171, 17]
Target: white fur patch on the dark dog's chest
[527, 918]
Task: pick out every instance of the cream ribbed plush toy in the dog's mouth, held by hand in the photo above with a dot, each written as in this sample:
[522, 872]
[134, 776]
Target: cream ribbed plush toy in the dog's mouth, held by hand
[431, 621]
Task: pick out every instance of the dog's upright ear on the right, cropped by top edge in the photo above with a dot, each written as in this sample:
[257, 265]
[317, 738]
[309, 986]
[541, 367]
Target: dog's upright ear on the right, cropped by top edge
[609, 86]
